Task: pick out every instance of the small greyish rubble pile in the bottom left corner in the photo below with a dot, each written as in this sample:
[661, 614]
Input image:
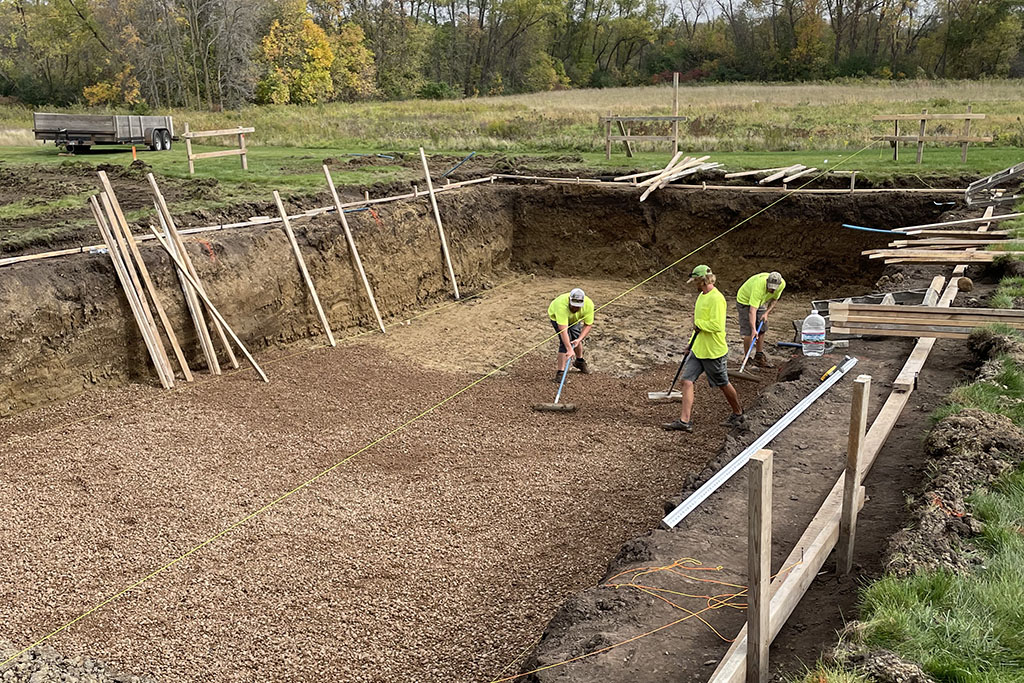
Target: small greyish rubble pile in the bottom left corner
[44, 665]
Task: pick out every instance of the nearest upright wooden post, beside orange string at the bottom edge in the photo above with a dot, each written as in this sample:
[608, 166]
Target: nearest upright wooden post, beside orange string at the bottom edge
[759, 566]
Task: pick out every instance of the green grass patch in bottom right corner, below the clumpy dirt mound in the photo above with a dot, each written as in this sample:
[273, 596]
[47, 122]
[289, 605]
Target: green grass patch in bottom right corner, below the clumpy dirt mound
[966, 627]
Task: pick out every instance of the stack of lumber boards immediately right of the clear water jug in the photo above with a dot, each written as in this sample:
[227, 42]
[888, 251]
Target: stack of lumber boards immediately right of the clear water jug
[918, 321]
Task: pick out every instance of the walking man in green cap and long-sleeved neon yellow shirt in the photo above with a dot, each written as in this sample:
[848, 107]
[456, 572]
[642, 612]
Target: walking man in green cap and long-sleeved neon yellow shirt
[708, 352]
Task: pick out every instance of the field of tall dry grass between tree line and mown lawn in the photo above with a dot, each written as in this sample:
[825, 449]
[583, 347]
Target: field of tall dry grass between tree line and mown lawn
[722, 118]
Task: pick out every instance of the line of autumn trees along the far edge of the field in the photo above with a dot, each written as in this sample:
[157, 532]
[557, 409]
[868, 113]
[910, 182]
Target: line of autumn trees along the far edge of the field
[224, 54]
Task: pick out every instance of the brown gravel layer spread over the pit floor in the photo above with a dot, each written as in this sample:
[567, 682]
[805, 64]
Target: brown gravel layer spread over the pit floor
[437, 556]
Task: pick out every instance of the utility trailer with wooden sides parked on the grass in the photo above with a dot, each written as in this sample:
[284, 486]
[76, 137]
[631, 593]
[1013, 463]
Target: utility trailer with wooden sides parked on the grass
[78, 133]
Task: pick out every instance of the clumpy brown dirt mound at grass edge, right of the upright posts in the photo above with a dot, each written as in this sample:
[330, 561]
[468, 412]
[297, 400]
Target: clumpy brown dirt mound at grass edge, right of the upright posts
[969, 450]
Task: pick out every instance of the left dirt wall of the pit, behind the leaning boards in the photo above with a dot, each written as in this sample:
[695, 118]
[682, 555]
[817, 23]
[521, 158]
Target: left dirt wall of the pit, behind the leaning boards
[66, 326]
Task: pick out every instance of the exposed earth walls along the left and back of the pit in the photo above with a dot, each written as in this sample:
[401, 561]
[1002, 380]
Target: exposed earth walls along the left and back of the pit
[66, 327]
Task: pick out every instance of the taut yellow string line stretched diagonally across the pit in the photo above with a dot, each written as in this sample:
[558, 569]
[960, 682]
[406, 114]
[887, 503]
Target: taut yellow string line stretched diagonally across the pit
[391, 434]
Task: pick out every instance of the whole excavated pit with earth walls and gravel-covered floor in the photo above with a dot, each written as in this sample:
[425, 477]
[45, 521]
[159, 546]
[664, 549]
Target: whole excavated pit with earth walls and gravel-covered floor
[441, 552]
